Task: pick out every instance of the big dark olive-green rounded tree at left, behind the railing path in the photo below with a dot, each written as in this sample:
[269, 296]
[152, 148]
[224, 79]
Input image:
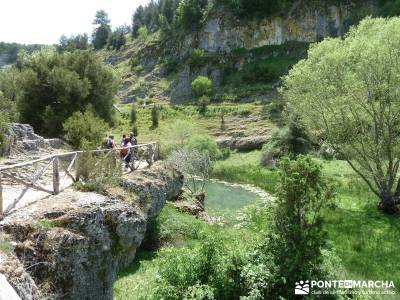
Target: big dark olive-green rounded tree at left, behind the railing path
[55, 85]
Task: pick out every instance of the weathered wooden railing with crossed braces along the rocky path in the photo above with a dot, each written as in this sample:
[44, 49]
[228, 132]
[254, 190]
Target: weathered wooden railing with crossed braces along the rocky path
[148, 152]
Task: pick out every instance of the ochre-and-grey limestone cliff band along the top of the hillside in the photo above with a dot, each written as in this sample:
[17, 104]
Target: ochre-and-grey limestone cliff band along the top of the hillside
[307, 21]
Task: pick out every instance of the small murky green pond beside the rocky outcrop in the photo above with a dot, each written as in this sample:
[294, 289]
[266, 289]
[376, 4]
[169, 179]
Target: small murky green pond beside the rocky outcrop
[226, 199]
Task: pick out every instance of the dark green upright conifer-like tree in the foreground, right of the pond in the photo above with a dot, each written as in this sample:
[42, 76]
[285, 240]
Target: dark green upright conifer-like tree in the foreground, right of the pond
[297, 236]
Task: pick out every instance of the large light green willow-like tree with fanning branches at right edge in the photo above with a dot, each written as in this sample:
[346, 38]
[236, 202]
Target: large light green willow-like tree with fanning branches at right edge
[353, 101]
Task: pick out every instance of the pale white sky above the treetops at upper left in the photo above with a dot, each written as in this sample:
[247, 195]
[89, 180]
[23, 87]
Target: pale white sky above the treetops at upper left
[44, 21]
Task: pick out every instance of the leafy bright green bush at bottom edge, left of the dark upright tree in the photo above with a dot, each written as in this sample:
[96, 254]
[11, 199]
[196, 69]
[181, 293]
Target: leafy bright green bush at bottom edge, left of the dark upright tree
[207, 271]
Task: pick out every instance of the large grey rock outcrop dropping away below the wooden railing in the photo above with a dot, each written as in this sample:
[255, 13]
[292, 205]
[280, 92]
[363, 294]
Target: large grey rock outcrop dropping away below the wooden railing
[75, 243]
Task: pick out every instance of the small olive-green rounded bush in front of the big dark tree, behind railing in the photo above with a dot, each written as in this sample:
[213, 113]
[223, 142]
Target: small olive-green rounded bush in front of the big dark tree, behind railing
[85, 129]
